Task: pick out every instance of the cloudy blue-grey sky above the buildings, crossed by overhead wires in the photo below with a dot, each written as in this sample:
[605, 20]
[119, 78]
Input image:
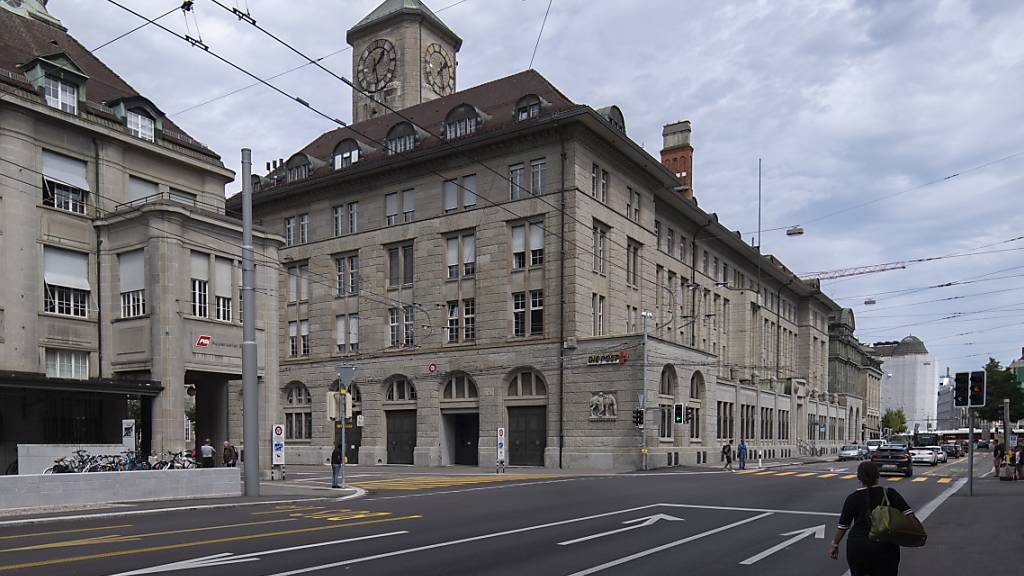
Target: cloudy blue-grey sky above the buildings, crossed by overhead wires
[889, 131]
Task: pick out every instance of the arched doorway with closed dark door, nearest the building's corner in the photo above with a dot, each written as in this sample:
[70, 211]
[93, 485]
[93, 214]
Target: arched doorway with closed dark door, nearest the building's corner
[527, 400]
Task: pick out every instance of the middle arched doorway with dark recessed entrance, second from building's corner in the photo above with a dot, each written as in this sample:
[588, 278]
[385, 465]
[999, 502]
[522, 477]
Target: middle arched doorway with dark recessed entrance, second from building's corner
[460, 405]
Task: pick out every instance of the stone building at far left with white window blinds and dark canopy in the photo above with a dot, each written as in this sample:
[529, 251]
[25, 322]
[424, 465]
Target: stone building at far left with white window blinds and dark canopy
[122, 262]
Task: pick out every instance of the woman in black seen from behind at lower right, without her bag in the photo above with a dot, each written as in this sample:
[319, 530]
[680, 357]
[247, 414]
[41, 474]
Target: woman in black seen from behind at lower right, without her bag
[865, 556]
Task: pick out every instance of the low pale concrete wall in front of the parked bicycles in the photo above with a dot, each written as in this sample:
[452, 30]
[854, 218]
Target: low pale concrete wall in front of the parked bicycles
[41, 490]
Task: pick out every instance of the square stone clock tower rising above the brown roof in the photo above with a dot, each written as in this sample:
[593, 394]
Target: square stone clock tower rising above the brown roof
[403, 55]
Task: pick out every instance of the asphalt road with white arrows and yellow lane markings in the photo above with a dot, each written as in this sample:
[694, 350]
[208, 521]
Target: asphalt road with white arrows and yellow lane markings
[779, 522]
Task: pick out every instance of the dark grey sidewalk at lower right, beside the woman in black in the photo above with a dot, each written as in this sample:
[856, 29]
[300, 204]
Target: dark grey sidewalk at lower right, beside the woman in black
[979, 534]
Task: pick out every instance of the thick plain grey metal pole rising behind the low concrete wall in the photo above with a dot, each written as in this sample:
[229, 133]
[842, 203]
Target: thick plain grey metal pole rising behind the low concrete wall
[250, 388]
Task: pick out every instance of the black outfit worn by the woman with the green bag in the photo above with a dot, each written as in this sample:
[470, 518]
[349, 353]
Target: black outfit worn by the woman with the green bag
[865, 557]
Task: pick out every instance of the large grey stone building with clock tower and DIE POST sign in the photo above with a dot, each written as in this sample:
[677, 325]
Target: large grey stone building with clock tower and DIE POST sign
[493, 258]
